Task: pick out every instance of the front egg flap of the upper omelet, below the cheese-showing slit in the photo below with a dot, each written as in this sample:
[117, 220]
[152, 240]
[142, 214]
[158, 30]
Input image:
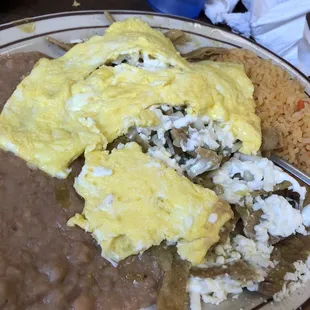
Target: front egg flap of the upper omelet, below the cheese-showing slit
[117, 98]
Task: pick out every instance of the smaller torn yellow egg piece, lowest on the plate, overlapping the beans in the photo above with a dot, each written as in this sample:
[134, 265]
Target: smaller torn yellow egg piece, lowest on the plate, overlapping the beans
[133, 202]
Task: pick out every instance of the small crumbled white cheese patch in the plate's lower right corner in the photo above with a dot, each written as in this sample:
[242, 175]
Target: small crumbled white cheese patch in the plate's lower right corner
[294, 280]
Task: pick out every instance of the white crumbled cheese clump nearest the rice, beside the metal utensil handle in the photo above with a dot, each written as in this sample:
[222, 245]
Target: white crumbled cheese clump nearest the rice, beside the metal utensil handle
[257, 173]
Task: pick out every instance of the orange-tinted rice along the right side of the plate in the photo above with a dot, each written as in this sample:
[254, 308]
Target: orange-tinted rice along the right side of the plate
[277, 98]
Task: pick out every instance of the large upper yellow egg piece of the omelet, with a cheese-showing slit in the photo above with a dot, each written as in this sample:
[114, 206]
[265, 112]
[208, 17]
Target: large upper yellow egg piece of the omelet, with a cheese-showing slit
[67, 105]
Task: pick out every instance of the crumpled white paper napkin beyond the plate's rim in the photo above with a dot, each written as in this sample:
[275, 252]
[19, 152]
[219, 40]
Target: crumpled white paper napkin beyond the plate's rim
[279, 25]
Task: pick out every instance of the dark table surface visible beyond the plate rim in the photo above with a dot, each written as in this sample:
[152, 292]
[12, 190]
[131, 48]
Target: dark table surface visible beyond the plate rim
[18, 9]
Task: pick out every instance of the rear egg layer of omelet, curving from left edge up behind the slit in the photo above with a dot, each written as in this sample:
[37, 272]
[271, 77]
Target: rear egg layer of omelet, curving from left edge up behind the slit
[34, 124]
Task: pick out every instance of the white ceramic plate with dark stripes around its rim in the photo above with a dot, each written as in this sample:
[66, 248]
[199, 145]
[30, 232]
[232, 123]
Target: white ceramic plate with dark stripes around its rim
[81, 25]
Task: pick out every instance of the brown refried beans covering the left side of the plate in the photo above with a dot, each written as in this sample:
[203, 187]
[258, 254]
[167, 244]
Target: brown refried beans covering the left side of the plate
[43, 263]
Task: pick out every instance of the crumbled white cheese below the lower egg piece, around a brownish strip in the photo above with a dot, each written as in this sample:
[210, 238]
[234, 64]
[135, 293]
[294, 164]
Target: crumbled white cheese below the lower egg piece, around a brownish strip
[214, 291]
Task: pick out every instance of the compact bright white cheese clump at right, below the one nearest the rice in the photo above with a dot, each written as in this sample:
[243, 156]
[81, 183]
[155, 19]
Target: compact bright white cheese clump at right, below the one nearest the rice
[279, 218]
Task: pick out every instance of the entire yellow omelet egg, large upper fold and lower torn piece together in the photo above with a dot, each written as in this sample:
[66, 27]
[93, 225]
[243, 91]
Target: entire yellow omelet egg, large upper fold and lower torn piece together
[79, 103]
